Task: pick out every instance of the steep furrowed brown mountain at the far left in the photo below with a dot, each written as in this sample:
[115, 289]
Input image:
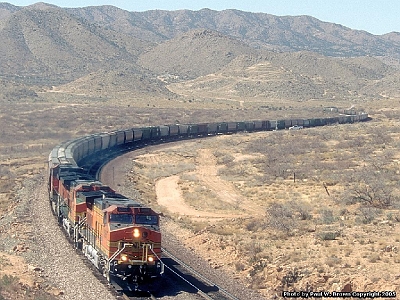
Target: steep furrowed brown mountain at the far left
[46, 42]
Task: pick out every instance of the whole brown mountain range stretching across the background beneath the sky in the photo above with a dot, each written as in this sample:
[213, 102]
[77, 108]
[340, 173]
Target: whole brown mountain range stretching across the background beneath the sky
[103, 50]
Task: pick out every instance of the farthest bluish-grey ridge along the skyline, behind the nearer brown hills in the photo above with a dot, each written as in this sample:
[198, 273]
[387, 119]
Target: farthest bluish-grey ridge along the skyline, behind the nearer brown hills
[259, 30]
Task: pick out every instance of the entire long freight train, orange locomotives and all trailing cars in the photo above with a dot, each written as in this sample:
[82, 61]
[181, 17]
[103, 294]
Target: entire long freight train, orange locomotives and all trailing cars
[120, 236]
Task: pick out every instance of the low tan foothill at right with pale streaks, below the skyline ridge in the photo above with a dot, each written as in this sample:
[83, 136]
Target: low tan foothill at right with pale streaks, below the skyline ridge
[295, 76]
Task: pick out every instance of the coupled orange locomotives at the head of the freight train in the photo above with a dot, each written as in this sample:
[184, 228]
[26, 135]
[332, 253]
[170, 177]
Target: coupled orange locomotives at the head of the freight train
[118, 235]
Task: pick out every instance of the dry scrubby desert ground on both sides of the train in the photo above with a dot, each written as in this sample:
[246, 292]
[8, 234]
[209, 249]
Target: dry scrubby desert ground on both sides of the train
[314, 209]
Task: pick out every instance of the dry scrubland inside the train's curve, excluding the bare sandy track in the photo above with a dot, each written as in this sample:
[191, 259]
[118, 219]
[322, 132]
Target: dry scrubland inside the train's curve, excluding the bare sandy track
[319, 227]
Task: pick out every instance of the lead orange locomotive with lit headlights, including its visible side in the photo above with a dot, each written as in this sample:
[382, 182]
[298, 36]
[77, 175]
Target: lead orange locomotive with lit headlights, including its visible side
[127, 235]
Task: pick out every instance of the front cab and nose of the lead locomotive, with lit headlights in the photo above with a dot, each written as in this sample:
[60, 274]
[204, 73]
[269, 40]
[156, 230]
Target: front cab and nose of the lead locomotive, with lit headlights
[134, 230]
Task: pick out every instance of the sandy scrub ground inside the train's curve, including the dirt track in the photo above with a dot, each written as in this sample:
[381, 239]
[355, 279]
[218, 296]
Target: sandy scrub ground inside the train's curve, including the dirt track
[273, 232]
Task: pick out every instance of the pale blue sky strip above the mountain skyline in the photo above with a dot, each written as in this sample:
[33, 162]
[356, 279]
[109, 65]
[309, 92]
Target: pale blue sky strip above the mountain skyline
[374, 16]
